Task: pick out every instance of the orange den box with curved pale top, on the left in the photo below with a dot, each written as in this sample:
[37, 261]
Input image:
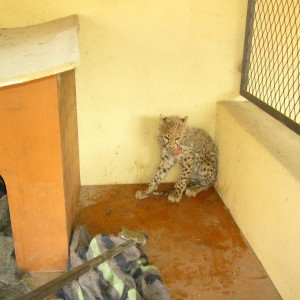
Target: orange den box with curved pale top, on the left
[39, 159]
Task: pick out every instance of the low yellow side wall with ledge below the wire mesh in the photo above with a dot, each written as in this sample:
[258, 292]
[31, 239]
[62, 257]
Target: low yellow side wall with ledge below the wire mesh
[259, 181]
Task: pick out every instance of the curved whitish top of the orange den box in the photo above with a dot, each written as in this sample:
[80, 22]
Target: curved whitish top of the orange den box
[32, 52]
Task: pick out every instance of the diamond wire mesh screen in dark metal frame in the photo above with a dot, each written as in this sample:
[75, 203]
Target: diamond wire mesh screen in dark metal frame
[271, 64]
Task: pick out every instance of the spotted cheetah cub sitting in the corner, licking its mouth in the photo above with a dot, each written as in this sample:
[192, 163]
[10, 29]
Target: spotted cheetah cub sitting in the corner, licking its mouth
[193, 149]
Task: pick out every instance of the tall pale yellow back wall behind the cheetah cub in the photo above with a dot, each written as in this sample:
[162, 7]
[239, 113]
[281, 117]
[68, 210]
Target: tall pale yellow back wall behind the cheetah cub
[140, 59]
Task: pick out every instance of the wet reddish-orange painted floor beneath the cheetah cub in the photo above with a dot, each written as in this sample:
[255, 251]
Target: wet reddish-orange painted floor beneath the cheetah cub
[196, 245]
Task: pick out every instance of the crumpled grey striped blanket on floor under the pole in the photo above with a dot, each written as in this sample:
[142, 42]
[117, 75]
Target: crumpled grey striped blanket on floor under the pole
[126, 276]
